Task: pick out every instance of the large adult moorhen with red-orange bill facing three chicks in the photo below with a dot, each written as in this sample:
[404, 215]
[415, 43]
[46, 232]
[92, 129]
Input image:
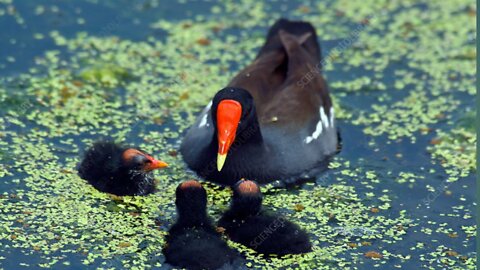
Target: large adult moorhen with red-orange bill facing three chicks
[274, 120]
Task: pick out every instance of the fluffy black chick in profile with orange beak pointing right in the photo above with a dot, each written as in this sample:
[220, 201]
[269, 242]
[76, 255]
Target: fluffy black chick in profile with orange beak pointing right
[118, 169]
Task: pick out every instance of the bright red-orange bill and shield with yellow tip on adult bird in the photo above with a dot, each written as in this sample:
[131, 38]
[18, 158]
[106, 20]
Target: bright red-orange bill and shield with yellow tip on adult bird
[228, 116]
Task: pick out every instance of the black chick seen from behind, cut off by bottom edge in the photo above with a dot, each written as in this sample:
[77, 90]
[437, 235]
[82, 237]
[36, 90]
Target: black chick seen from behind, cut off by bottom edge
[193, 242]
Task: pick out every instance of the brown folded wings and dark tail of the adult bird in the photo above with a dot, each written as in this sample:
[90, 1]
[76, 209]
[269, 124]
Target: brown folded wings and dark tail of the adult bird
[276, 79]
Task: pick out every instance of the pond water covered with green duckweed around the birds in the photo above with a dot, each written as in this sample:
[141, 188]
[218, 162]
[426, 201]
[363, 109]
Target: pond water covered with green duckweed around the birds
[403, 78]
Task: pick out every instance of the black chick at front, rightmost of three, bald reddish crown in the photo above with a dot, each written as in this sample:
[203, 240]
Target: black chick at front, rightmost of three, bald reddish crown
[246, 223]
